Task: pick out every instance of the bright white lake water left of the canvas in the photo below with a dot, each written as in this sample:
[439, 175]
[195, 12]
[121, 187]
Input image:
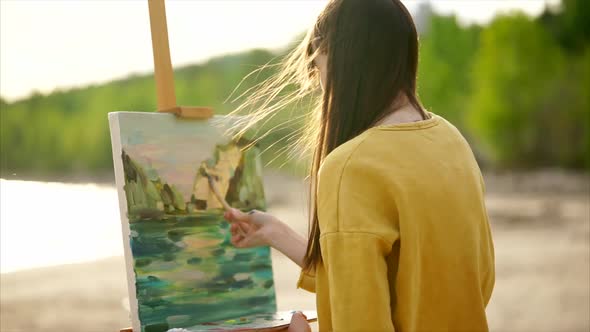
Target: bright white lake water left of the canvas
[48, 223]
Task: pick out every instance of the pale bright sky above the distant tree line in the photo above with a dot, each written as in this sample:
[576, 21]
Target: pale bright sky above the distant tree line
[59, 44]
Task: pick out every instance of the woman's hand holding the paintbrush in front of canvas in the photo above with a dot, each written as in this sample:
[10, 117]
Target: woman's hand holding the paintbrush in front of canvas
[252, 229]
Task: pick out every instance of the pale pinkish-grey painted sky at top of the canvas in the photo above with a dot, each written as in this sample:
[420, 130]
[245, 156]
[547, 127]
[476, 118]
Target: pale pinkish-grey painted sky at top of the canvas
[173, 147]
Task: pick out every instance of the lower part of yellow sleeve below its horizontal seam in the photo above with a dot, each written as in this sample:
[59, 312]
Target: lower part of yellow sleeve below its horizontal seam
[357, 281]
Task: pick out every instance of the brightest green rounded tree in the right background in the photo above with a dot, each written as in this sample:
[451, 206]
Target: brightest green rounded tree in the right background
[512, 87]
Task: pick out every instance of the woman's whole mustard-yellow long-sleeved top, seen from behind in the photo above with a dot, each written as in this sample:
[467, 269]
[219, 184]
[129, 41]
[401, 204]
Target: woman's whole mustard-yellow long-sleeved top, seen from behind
[405, 239]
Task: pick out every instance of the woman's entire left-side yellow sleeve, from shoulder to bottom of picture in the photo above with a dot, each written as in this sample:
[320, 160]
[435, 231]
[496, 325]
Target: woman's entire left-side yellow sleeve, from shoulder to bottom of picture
[357, 217]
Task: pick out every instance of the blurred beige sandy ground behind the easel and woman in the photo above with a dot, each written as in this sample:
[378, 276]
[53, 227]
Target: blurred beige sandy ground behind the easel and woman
[541, 229]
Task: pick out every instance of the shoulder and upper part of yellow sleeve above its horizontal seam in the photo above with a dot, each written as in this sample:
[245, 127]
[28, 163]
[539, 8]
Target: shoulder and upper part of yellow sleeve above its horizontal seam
[350, 187]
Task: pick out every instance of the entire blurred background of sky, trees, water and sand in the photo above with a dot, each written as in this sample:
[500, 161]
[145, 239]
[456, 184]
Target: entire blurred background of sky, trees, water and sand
[513, 76]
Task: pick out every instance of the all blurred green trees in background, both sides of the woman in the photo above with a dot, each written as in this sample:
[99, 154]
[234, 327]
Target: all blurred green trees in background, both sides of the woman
[519, 89]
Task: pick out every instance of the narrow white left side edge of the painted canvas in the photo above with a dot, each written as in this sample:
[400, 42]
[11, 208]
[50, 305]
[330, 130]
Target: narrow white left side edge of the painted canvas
[119, 181]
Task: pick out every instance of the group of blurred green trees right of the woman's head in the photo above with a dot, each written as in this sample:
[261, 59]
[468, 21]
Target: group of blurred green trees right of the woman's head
[517, 88]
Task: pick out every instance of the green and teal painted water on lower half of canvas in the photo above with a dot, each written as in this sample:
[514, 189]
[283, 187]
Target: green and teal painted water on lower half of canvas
[188, 272]
